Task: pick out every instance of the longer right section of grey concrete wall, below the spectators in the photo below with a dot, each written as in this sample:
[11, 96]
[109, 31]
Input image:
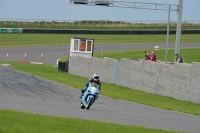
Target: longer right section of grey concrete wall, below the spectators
[180, 81]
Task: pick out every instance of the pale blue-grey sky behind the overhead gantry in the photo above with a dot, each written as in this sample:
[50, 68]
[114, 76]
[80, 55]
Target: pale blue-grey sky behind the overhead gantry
[62, 10]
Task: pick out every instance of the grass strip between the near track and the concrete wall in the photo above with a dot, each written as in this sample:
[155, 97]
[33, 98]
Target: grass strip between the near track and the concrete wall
[51, 72]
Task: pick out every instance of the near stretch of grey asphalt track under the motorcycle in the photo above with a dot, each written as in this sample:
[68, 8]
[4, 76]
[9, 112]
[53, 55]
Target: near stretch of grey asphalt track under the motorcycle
[28, 93]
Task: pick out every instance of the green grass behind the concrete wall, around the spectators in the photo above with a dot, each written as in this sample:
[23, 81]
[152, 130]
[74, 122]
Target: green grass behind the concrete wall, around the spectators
[189, 55]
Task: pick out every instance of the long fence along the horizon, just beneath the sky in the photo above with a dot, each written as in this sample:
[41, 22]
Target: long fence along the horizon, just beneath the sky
[103, 23]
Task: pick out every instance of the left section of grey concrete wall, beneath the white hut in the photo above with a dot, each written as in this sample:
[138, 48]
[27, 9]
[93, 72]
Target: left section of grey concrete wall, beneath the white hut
[86, 67]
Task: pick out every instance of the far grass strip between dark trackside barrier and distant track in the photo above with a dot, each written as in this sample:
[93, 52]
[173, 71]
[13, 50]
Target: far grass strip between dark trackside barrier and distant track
[64, 39]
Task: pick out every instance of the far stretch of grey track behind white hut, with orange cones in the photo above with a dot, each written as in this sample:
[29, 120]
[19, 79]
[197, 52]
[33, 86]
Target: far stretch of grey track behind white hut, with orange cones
[53, 53]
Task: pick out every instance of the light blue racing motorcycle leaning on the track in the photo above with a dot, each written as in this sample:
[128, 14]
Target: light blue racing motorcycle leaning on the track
[89, 96]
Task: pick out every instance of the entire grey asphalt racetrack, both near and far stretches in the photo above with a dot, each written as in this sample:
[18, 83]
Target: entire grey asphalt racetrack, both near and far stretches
[19, 91]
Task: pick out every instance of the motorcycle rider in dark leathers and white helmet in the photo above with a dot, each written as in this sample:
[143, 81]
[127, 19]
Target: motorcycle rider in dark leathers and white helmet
[94, 79]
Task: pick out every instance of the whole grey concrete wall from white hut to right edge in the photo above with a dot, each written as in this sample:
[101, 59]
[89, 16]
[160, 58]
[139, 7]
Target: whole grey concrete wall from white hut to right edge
[180, 81]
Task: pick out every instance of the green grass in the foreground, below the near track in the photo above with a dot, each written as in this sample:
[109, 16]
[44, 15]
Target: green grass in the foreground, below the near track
[18, 122]
